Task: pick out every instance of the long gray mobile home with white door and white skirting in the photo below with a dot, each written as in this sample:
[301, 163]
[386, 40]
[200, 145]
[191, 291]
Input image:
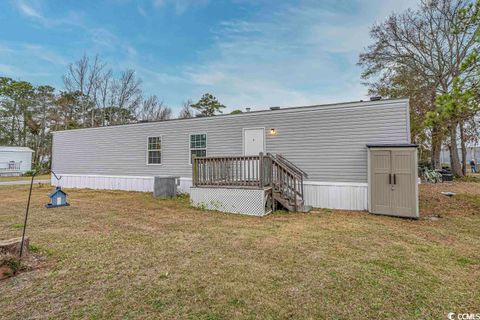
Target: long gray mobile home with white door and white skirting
[325, 144]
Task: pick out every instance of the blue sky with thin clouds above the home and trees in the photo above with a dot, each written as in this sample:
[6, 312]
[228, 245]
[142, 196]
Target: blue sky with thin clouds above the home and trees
[247, 53]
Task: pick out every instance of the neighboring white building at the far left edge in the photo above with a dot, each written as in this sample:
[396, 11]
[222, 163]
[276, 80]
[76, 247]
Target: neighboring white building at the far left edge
[15, 160]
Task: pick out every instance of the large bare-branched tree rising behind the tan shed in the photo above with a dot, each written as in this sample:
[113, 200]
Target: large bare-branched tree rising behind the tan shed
[424, 42]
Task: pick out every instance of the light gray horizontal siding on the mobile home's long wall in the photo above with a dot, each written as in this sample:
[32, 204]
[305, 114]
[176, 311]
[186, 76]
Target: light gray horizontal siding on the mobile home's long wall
[327, 142]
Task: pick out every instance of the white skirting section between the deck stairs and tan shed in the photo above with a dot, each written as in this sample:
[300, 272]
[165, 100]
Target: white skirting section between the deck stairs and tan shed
[336, 195]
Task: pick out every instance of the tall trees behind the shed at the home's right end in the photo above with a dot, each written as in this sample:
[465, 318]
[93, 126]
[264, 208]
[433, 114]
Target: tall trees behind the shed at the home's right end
[432, 56]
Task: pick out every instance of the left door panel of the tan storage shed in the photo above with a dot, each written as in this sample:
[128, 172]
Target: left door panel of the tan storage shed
[381, 190]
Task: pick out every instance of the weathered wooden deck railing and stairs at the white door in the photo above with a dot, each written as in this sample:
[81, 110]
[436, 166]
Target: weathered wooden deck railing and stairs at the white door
[281, 180]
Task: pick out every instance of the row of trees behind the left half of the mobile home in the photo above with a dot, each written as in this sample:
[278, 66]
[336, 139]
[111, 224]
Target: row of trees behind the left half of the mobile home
[92, 97]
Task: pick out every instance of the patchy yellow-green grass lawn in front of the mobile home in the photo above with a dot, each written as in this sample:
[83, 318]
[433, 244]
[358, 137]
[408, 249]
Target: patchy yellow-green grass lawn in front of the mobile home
[125, 255]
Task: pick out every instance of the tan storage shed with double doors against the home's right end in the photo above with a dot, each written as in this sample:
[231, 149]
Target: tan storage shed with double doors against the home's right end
[393, 180]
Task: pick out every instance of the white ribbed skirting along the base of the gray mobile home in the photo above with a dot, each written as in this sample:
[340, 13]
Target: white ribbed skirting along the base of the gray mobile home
[332, 195]
